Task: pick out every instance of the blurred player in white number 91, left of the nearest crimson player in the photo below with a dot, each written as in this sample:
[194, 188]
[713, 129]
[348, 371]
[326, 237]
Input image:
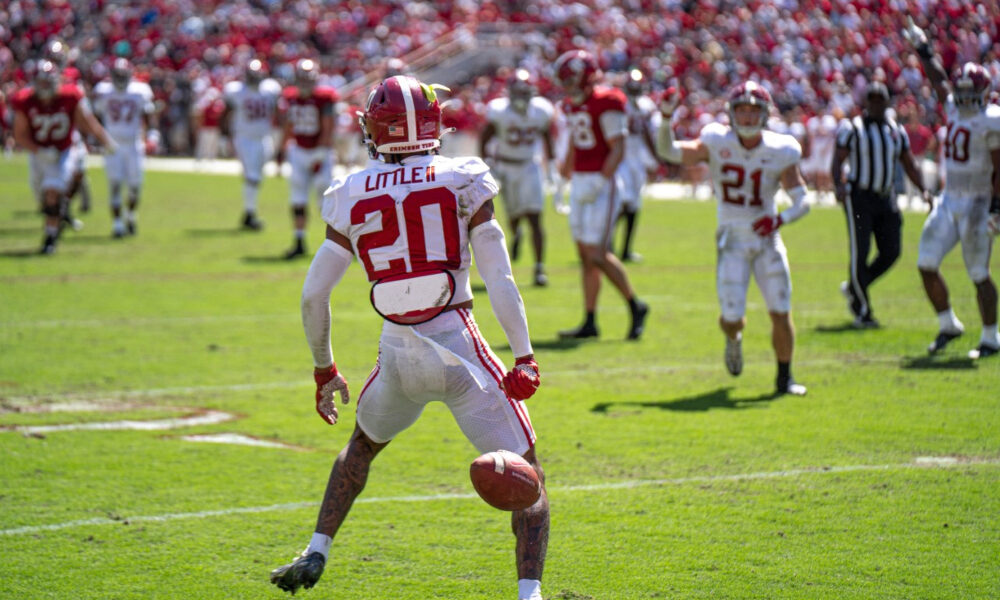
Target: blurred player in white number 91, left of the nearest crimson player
[248, 120]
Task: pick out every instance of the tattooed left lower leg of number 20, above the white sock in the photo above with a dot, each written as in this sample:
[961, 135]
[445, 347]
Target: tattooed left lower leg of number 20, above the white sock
[347, 479]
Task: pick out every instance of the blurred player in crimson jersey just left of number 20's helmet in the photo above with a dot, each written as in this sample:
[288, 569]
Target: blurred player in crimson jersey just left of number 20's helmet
[308, 133]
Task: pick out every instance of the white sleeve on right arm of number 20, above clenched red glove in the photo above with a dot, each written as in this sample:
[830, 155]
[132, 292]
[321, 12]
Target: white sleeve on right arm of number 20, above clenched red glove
[493, 263]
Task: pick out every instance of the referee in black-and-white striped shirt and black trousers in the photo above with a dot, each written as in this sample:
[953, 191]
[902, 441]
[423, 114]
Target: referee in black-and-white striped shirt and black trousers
[874, 146]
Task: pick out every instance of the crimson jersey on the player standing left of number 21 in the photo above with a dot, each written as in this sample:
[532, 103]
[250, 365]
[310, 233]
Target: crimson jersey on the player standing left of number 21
[587, 123]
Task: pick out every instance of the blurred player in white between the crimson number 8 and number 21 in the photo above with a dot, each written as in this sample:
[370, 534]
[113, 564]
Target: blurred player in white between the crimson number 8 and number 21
[640, 155]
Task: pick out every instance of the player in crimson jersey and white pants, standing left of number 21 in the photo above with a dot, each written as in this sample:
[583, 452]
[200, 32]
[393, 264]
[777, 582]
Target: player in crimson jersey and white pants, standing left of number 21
[595, 118]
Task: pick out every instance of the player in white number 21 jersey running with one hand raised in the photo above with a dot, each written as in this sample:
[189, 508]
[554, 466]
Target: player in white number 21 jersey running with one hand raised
[747, 165]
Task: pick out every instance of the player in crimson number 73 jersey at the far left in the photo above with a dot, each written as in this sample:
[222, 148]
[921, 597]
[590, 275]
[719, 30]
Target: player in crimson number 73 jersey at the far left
[46, 115]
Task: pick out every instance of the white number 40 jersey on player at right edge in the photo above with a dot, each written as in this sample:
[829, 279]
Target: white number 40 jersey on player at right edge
[967, 145]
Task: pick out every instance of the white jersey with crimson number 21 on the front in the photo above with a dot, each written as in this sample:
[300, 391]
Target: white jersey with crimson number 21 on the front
[745, 180]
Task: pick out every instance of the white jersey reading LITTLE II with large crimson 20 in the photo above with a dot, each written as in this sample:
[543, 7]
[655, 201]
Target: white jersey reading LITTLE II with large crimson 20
[412, 217]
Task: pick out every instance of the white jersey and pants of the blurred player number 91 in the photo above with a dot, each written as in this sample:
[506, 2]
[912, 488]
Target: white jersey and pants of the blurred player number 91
[252, 115]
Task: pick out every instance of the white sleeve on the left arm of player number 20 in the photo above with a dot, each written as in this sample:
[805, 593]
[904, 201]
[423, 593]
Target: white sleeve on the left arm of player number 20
[325, 272]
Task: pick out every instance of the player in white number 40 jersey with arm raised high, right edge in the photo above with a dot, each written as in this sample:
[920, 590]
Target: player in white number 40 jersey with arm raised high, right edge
[969, 211]
